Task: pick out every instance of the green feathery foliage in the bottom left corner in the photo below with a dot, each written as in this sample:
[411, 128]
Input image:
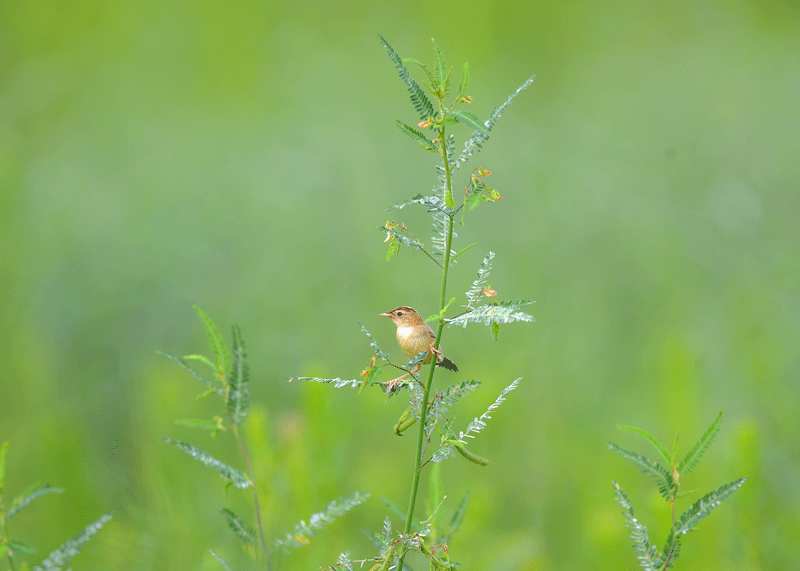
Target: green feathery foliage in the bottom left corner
[11, 546]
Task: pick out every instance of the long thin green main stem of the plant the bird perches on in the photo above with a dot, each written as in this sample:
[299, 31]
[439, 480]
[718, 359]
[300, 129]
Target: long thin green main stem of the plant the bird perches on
[424, 411]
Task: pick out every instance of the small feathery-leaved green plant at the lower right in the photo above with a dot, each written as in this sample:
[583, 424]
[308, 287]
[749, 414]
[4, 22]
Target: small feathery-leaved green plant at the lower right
[668, 482]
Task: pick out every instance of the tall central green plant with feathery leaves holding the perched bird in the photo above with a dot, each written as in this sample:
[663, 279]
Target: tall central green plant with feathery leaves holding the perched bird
[426, 405]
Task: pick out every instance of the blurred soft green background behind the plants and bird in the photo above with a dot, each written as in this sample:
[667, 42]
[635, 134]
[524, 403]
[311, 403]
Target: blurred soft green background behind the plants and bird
[236, 155]
